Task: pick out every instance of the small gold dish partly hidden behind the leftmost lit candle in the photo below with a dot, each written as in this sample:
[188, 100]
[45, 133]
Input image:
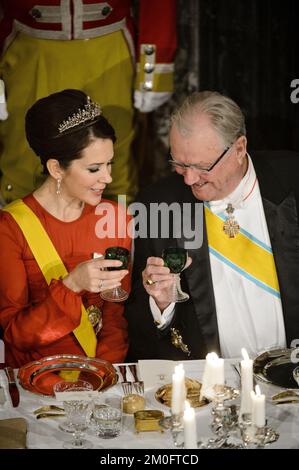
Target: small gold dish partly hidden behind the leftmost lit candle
[163, 394]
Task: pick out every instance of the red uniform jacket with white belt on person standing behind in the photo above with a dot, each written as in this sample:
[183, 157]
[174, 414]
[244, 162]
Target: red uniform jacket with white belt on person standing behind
[154, 44]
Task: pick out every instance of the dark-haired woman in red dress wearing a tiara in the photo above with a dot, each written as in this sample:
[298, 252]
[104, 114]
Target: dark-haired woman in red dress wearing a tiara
[75, 145]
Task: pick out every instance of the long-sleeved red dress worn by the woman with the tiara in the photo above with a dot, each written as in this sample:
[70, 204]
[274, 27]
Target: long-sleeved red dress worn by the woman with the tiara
[37, 320]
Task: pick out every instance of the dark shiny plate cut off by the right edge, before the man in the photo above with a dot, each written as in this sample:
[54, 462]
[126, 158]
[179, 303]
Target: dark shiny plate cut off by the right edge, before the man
[276, 367]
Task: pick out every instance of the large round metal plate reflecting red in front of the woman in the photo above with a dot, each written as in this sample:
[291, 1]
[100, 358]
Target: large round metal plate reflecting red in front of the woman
[40, 376]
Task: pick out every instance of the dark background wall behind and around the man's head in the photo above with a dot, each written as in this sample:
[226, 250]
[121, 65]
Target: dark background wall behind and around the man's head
[247, 49]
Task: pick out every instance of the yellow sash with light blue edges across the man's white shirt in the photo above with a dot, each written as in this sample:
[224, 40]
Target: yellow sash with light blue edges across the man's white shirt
[250, 259]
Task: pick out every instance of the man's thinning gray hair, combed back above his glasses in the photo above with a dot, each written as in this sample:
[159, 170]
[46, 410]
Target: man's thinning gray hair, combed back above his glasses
[225, 115]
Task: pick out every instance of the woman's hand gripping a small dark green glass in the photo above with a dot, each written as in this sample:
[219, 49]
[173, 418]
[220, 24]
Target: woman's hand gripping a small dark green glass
[92, 276]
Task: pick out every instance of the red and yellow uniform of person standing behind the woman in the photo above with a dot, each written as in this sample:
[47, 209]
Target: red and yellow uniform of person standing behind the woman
[89, 45]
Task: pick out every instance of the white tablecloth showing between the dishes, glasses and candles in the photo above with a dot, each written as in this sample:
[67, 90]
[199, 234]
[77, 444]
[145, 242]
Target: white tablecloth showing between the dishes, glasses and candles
[45, 434]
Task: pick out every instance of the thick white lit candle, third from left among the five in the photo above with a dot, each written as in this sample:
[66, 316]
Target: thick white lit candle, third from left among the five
[213, 373]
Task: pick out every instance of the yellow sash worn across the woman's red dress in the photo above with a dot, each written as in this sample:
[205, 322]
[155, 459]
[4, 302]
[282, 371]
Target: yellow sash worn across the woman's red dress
[50, 264]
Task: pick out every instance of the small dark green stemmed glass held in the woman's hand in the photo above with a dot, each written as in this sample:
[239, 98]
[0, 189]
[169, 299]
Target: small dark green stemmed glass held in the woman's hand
[121, 254]
